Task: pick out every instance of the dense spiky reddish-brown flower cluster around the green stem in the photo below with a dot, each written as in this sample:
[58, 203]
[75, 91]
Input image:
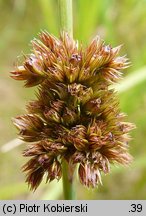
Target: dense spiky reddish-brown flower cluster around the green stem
[76, 115]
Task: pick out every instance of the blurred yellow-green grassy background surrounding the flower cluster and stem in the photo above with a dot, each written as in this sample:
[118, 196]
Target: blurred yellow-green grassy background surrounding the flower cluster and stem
[118, 22]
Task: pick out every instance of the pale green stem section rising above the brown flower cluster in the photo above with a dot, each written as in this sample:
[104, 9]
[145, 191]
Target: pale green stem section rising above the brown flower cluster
[66, 19]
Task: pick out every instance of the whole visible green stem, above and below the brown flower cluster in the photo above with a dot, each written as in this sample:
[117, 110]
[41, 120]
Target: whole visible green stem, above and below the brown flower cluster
[66, 21]
